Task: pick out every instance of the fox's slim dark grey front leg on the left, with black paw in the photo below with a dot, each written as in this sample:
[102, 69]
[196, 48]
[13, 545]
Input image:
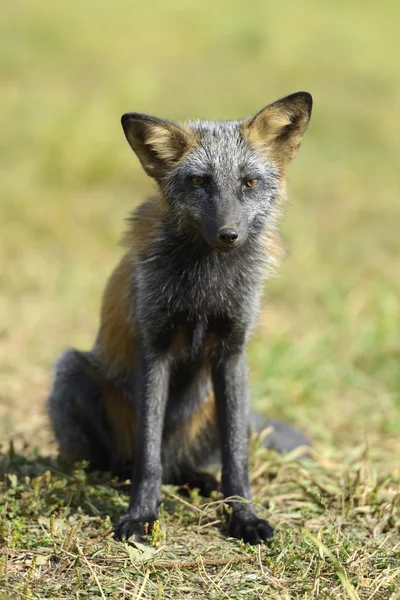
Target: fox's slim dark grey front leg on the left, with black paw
[151, 399]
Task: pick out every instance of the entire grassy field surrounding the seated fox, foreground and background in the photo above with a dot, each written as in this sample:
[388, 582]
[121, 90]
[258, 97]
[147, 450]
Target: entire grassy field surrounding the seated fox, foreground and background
[326, 354]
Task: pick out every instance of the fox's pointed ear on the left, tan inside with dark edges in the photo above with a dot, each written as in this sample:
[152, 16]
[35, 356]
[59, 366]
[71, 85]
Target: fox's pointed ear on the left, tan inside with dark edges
[159, 145]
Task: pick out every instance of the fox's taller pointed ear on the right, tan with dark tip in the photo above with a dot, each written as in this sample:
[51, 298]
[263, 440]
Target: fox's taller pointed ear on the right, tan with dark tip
[277, 129]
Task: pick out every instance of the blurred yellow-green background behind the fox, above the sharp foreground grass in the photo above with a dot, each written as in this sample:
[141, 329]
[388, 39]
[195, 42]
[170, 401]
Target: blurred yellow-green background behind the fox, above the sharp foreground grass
[326, 354]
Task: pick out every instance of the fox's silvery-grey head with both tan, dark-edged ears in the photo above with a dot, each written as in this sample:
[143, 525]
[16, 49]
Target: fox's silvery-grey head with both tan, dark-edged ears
[222, 180]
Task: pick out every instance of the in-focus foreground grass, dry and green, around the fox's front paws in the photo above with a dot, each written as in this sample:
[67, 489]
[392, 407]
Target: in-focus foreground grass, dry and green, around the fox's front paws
[336, 535]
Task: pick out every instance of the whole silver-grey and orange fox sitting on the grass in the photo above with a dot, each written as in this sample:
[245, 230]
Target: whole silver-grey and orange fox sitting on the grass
[163, 392]
